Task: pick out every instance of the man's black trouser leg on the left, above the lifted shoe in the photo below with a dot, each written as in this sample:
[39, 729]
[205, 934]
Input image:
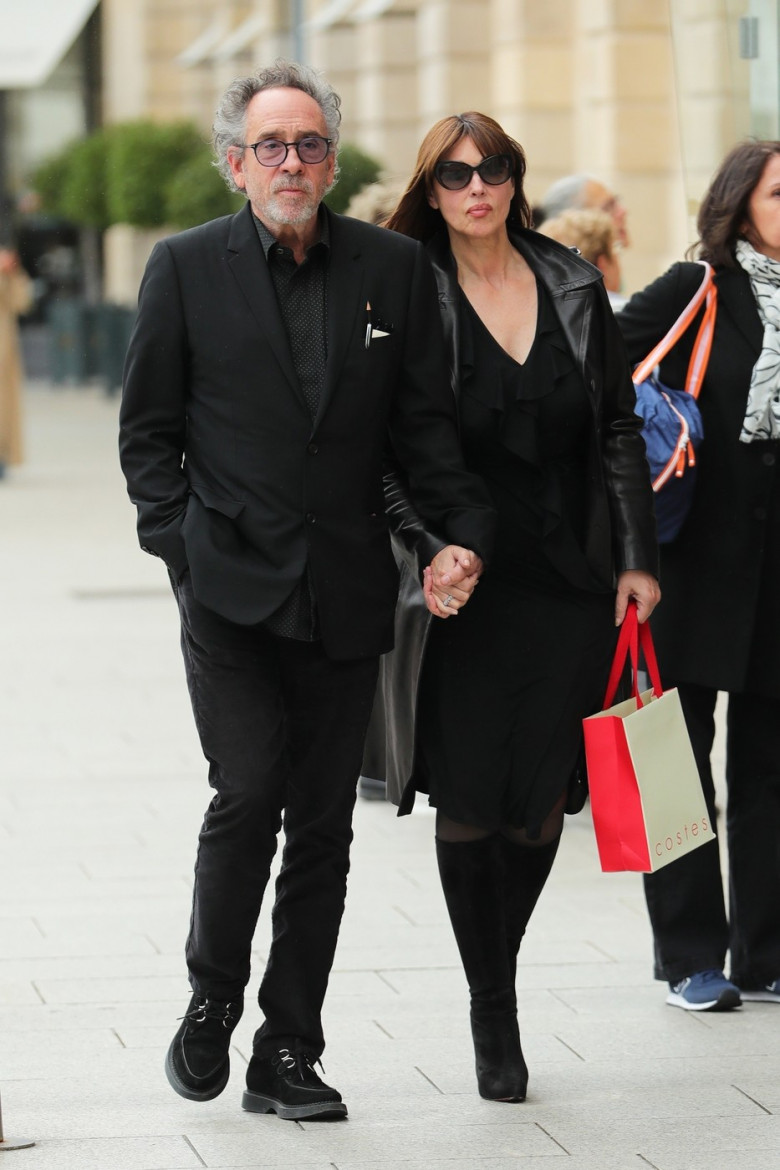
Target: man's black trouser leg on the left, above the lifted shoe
[234, 682]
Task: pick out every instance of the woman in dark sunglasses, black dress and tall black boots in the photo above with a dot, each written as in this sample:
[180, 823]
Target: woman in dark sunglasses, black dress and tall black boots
[547, 412]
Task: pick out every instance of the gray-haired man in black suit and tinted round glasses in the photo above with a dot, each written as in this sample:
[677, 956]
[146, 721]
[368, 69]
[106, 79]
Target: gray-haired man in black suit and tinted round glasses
[279, 355]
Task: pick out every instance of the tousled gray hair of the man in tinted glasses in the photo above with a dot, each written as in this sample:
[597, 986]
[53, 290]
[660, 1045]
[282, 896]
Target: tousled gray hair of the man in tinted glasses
[230, 126]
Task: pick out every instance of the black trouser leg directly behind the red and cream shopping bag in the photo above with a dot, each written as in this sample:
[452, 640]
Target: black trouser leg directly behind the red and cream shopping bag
[685, 900]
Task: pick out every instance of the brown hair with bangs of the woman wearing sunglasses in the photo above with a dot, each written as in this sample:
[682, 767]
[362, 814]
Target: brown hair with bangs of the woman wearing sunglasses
[415, 216]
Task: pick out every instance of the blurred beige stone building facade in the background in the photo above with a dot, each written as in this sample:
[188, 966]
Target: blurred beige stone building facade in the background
[646, 94]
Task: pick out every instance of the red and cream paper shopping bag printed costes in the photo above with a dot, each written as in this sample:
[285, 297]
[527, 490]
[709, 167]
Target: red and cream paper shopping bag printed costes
[646, 794]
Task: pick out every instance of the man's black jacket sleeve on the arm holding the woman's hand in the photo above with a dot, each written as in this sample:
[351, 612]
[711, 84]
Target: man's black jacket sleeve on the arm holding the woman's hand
[424, 432]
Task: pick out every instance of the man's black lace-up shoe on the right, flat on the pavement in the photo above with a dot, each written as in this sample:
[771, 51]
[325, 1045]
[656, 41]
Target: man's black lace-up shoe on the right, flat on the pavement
[286, 1084]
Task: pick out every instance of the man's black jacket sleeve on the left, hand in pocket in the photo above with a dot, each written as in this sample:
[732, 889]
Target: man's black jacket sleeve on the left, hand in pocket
[153, 417]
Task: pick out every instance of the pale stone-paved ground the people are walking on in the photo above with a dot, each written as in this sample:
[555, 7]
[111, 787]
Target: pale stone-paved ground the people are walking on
[102, 789]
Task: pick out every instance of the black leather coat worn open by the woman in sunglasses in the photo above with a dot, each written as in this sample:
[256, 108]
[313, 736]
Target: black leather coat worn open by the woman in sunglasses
[620, 528]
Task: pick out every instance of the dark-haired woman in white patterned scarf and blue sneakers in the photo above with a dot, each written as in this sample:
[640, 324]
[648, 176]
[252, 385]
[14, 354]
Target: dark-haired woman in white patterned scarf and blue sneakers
[720, 625]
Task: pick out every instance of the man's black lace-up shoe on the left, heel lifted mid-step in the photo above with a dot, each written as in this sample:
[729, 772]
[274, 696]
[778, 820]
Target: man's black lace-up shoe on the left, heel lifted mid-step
[198, 1065]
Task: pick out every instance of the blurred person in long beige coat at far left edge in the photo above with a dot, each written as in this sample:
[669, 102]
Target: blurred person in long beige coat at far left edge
[16, 298]
